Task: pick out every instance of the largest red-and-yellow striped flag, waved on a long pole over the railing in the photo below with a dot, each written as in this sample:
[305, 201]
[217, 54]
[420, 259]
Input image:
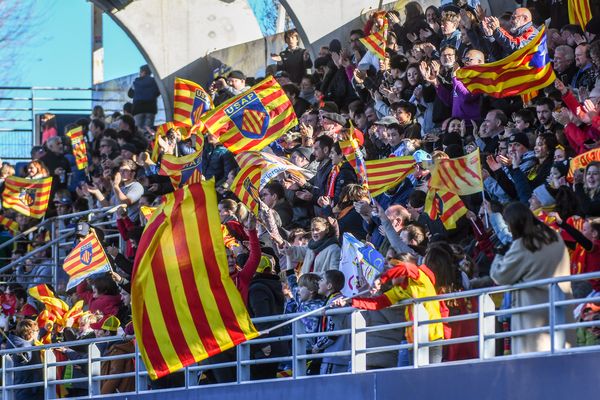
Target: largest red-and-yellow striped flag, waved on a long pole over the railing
[185, 307]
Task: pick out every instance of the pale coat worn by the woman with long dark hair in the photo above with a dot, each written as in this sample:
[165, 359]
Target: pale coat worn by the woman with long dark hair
[520, 265]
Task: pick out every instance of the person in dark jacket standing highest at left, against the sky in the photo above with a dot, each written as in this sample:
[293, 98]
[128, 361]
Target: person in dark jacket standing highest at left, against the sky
[144, 93]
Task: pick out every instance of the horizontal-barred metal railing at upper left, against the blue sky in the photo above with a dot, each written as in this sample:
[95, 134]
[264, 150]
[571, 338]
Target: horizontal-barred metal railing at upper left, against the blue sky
[21, 106]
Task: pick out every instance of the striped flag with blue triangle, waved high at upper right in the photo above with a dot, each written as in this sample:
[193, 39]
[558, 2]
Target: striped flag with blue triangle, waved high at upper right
[524, 71]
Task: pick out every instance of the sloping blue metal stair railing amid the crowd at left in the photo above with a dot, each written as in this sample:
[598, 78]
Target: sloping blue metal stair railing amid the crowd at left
[60, 242]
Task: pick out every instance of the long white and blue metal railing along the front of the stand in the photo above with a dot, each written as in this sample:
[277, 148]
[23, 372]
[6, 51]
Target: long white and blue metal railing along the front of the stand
[91, 358]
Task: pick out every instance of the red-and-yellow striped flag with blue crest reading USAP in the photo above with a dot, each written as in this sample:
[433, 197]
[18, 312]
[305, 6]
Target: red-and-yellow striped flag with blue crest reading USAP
[253, 119]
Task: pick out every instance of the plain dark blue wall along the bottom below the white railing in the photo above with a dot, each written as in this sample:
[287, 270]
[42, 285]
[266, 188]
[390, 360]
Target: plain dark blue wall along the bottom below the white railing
[572, 376]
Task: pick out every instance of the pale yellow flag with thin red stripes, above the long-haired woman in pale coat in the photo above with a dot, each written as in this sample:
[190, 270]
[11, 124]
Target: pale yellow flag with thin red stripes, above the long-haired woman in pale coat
[460, 175]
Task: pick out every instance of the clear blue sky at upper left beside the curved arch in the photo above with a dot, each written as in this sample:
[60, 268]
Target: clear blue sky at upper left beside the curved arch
[59, 52]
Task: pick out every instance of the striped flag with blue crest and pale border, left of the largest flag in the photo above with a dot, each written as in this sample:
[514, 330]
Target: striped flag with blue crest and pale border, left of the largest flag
[87, 258]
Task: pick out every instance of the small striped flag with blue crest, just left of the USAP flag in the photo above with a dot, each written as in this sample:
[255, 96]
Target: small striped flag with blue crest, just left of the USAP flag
[190, 102]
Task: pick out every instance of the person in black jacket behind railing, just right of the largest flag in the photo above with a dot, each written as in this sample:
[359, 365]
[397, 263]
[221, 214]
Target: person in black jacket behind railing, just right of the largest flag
[266, 298]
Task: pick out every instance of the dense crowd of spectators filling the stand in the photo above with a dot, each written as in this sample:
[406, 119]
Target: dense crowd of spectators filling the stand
[534, 221]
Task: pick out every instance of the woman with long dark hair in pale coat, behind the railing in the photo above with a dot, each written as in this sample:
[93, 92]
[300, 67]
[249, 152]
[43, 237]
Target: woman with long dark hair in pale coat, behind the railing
[537, 252]
